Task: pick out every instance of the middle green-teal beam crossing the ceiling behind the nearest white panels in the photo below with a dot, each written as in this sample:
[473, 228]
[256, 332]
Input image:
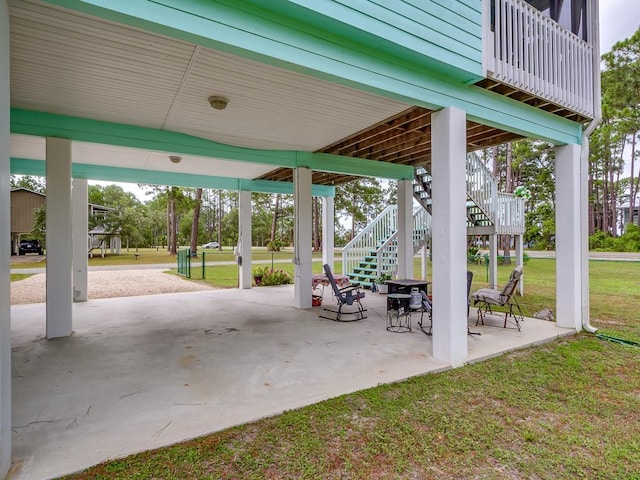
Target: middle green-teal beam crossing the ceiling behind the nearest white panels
[41, 124]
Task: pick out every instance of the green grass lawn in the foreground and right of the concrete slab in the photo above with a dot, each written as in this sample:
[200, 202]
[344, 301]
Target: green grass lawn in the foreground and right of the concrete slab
[565, 410]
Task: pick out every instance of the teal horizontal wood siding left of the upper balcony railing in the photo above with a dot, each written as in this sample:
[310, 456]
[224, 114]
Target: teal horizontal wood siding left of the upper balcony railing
[447, 34]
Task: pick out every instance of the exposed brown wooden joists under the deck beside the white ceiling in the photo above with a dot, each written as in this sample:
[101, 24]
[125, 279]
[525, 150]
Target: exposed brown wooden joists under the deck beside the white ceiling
[404, 138]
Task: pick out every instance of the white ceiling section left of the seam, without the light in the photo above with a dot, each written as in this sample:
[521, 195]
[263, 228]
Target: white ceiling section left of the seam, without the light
[67, 63]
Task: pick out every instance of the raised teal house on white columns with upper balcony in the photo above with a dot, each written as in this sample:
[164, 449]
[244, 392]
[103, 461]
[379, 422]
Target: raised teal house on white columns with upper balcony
[297, 96]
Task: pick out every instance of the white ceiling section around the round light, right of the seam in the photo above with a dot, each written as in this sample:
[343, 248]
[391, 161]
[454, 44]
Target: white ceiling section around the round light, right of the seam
[270, 107]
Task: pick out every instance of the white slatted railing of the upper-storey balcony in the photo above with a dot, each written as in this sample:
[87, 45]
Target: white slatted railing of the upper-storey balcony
[533, 53]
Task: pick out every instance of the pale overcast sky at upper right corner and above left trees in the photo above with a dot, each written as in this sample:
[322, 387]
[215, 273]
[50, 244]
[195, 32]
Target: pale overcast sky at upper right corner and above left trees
[619, 19]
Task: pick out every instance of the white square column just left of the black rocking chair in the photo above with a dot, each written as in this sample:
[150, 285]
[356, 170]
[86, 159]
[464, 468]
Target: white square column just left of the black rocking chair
[302, 256]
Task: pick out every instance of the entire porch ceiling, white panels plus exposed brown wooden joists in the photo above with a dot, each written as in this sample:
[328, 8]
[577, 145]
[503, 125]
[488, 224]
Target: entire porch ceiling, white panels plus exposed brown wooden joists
[69, 63]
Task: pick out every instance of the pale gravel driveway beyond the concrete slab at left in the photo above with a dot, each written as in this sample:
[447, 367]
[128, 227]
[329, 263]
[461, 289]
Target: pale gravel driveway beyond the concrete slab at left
[109, 284]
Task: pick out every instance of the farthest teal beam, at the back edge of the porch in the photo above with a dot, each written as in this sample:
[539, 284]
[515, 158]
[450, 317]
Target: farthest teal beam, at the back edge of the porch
[23, 166]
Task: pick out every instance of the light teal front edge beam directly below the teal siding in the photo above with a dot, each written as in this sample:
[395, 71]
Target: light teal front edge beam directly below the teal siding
[246, 33]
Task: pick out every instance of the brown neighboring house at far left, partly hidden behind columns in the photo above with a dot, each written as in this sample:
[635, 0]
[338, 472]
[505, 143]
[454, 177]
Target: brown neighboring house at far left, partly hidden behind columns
[25, 202]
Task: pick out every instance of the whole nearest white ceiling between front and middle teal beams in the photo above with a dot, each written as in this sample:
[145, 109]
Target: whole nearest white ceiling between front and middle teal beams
[73, 64]
